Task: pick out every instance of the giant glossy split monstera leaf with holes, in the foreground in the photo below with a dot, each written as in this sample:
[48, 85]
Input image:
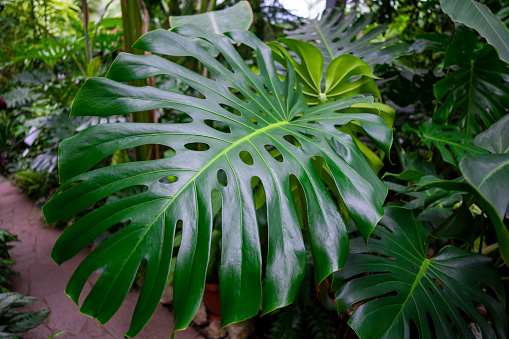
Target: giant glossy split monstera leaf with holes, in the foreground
[267, 132]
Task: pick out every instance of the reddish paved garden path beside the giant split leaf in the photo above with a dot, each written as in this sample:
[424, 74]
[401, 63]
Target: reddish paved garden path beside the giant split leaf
[42, 278]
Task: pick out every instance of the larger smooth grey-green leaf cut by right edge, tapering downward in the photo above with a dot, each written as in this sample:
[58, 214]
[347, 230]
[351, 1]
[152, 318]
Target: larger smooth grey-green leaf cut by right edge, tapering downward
[489, 176]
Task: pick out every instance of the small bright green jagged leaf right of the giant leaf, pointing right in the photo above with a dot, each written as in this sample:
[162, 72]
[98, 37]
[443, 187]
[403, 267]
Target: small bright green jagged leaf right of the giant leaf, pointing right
[452, 144]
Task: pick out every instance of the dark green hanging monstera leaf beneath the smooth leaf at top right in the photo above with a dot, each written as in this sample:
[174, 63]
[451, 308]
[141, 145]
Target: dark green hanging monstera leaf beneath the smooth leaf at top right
[471, 94]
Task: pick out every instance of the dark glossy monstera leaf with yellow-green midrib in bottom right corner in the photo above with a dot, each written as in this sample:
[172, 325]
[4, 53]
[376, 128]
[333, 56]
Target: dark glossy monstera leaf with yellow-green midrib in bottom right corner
[433, 293]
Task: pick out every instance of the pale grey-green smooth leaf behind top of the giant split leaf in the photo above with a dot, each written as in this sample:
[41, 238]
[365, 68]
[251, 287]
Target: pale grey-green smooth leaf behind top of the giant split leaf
[239, 16]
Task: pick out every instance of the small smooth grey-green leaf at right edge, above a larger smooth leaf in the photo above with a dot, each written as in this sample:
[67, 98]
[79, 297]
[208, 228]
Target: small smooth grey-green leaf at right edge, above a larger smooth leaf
[496, 138]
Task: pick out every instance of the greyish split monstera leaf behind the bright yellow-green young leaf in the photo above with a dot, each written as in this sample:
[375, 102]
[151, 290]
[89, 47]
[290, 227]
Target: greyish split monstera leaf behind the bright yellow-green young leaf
[336, 34]
